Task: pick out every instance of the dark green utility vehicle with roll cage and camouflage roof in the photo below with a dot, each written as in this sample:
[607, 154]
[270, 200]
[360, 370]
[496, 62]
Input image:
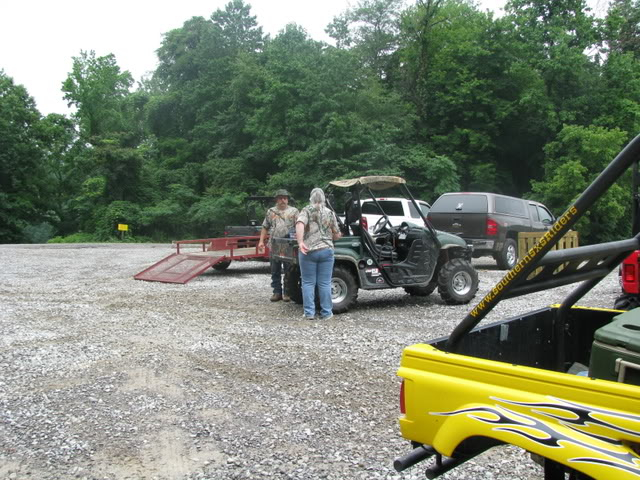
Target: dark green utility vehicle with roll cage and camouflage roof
[414, 257]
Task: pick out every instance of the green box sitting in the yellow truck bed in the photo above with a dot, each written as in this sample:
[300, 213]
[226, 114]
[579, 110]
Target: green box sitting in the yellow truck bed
[615, 354]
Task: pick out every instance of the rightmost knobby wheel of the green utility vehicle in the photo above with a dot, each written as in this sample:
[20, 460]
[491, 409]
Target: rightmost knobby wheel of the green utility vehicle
[457, 282]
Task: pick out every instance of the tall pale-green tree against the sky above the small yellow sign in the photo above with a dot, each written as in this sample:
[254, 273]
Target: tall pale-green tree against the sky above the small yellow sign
[109, 118]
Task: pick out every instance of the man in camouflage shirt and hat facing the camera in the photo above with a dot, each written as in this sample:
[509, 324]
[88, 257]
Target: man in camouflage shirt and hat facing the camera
[278, 222]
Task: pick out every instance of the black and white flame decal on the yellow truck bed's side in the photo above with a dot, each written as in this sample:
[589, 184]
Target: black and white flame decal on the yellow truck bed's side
[580, 420]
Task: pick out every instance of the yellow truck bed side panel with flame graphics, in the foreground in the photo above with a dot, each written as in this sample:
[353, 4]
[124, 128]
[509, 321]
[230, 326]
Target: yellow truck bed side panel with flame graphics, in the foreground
[591, 425]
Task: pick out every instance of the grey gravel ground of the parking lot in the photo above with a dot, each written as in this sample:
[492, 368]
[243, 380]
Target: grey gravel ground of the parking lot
[106, 377]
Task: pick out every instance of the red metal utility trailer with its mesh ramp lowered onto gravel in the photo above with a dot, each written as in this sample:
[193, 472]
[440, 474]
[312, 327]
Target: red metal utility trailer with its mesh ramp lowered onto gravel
[180, 267]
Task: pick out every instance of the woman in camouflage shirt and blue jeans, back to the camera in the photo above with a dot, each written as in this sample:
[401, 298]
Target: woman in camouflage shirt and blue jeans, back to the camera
[316, 229]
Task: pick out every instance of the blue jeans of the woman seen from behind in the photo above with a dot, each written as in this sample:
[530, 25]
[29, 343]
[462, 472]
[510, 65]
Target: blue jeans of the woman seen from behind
[316, 269]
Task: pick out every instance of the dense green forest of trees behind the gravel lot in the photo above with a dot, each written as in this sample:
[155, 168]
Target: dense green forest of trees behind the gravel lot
[534, 103]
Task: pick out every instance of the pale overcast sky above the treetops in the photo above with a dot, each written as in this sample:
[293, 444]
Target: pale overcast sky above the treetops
[38, 38]
